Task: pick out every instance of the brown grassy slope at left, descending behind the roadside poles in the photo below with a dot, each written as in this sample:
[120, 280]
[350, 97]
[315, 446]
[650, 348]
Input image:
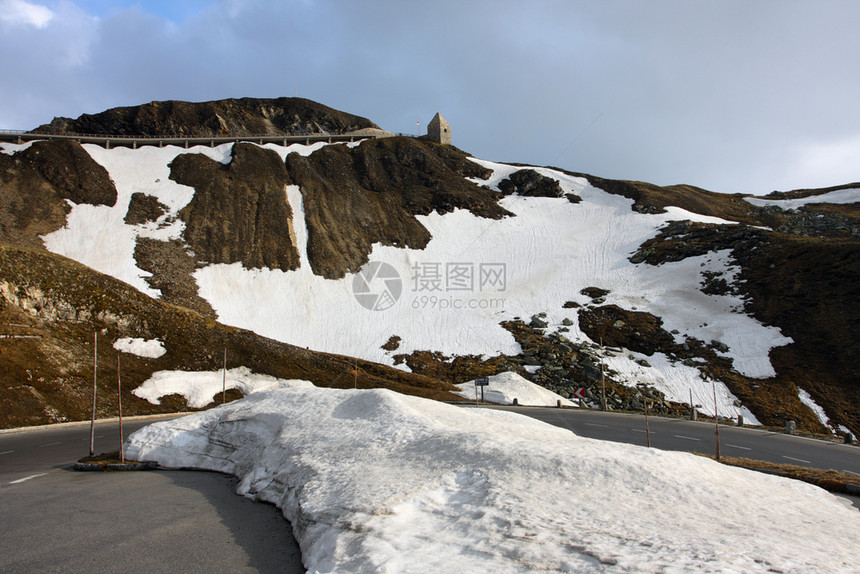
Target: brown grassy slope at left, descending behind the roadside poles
[52, 310]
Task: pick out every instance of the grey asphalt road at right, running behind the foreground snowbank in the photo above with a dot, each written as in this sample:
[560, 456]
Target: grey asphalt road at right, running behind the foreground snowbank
[688, 436]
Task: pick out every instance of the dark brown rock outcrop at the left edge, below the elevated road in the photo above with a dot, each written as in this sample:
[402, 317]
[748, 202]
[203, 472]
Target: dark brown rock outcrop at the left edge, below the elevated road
[35, 183]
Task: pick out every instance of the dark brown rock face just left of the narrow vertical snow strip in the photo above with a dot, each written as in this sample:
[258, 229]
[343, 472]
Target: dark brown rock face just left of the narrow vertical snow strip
[240, 211]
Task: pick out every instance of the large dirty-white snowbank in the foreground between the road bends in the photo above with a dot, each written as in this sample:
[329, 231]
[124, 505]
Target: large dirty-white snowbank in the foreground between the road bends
[373, 481]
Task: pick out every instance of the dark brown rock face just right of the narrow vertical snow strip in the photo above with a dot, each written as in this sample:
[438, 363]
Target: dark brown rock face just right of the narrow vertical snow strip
[355, 197]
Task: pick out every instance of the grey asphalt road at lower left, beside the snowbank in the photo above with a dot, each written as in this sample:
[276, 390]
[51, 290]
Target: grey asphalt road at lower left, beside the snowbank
[54, 519]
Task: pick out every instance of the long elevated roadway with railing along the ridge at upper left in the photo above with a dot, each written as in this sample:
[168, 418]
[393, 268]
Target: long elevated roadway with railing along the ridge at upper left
[109, 141]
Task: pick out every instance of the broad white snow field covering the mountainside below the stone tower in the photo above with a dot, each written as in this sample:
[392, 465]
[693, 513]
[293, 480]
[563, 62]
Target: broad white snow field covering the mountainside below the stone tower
[542, 258]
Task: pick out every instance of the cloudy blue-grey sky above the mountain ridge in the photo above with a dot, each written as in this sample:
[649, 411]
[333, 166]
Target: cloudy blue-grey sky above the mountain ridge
[730, 95]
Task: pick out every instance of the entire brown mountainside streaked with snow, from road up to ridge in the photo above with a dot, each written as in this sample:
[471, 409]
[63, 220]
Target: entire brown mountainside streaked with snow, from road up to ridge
[212, 234]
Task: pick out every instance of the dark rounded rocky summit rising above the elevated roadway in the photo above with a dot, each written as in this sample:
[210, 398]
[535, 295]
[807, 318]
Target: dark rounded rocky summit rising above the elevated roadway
[241, 117]
